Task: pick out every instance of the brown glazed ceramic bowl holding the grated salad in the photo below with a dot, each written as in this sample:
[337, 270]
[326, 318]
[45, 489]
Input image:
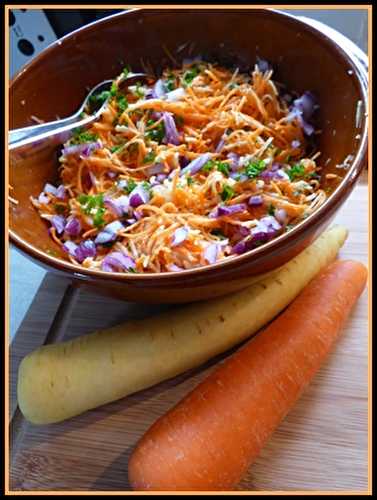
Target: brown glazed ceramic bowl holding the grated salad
[304, 58]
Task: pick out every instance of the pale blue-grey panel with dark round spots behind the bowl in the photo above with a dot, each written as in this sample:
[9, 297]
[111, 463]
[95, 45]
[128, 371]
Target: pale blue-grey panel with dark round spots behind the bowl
[30, 33]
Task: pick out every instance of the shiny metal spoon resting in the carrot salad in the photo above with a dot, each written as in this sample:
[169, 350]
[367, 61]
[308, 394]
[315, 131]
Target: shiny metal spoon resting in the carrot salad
[59, 130]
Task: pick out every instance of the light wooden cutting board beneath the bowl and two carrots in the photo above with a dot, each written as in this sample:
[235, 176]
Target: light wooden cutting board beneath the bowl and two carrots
[321, 445]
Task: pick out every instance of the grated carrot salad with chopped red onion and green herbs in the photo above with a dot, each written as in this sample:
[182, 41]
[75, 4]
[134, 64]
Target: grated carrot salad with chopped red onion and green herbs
[198, 166]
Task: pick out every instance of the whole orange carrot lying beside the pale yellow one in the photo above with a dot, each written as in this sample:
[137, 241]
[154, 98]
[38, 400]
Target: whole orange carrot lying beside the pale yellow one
[209, 439]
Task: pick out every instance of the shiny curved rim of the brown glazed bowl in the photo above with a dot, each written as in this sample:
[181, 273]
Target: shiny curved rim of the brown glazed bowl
[333, 200]
